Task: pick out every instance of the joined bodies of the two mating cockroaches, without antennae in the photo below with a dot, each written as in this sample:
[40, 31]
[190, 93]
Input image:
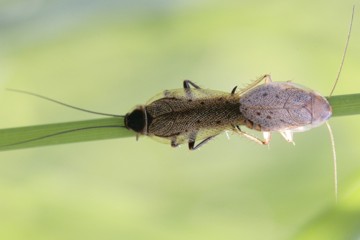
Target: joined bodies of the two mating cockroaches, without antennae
[192, 114]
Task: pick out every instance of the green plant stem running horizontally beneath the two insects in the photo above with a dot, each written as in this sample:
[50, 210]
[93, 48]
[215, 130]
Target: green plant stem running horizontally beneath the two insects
[113, 127]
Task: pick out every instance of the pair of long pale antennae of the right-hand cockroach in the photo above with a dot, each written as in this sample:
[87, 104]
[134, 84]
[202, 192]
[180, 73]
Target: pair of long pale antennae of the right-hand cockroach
[332, 91]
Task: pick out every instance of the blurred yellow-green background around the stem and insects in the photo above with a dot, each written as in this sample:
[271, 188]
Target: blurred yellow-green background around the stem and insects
[111, 55]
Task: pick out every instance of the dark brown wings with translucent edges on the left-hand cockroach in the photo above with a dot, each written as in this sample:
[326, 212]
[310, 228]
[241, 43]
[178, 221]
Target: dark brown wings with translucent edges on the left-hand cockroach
[180, 118]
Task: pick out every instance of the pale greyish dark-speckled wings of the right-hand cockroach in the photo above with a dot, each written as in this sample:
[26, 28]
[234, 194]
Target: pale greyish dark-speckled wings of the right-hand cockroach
[277, 106]
